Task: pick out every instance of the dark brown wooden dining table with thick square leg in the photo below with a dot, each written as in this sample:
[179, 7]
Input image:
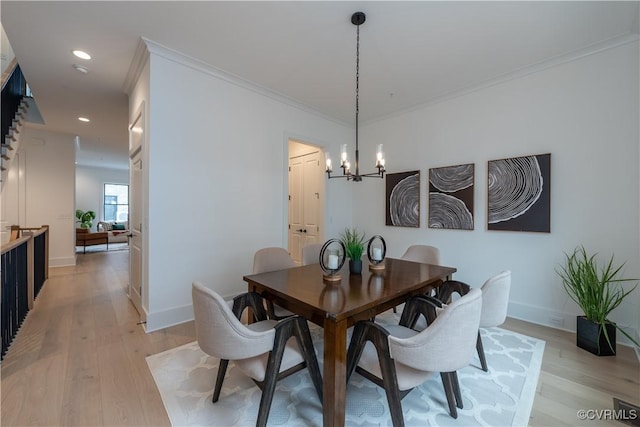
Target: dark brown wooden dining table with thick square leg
[337, 306]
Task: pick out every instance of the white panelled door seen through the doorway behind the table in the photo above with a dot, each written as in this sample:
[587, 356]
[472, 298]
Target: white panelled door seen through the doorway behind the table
[305, 202]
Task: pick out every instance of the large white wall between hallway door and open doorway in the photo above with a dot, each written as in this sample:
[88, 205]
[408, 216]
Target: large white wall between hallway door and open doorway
[217, 180]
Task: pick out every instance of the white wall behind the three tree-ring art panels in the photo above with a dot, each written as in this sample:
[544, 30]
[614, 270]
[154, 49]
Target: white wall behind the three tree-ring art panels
[585, 113]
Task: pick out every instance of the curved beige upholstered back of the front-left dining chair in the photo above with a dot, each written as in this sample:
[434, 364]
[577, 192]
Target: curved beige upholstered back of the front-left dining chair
[220, 333]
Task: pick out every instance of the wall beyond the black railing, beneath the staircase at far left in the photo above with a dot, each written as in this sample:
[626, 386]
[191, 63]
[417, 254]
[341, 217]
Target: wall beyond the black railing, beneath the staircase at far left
[40, 190]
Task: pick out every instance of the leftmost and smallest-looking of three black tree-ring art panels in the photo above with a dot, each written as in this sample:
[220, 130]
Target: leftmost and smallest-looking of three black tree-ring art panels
[403, 199]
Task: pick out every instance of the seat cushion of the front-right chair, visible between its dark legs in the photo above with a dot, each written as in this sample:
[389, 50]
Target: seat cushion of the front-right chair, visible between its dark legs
[408, 377]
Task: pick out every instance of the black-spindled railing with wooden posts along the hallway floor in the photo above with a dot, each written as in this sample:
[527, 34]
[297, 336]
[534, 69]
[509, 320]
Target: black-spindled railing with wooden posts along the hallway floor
[25, 266]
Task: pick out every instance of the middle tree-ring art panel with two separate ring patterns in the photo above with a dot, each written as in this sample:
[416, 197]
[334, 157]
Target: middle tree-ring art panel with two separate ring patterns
[451, 197]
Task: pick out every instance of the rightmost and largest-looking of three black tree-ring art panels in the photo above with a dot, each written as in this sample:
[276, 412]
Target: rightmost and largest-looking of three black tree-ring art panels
[519, 192]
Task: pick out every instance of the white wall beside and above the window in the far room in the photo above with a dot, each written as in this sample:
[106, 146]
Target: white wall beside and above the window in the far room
[90, 188]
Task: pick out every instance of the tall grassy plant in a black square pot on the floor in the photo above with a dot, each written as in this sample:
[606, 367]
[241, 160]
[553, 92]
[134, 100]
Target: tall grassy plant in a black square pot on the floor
[598, 291]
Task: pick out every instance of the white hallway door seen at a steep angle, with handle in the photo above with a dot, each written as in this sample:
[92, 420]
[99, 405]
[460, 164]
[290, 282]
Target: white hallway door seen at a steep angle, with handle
[135, 216]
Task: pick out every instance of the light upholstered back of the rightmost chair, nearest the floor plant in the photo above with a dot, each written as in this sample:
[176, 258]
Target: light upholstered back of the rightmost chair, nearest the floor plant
[495, 299]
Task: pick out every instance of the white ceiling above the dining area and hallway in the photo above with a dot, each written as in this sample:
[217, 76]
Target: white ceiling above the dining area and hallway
[412, 53]
